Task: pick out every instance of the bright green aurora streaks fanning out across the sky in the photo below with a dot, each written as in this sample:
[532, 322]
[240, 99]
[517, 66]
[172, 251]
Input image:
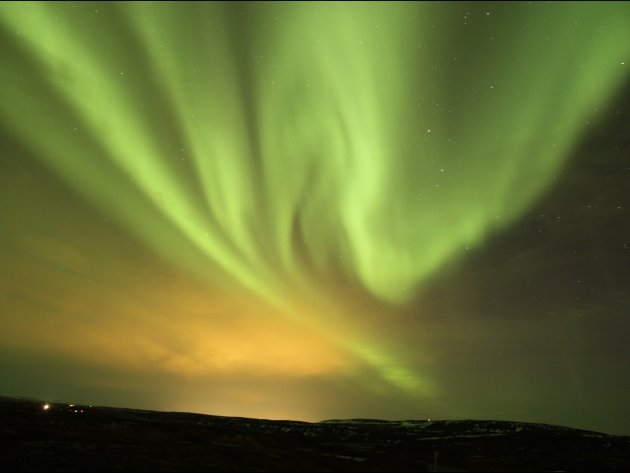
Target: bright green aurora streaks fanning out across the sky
[314, 158]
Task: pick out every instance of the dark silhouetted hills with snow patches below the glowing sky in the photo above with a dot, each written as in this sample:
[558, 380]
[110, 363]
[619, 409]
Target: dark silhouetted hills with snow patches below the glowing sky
[83, 438]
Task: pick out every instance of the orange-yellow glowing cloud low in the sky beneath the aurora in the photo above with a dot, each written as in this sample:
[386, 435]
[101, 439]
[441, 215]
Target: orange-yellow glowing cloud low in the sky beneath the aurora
[171, 324]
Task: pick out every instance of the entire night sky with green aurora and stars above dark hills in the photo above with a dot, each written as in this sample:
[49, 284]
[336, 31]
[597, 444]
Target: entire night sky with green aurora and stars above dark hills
[318, 210]
